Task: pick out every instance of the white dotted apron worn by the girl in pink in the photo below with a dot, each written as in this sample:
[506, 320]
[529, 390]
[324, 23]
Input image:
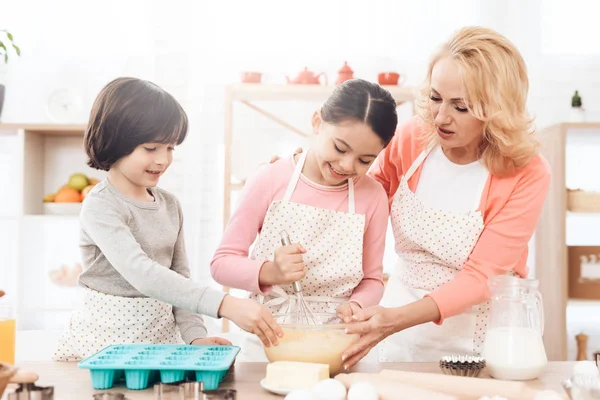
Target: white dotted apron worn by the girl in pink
[334, 246]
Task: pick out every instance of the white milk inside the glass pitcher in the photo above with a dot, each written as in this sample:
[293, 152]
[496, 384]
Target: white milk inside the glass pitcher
[514, 353]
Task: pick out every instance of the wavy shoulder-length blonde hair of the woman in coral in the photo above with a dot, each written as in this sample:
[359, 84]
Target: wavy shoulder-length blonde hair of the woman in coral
[495, 79]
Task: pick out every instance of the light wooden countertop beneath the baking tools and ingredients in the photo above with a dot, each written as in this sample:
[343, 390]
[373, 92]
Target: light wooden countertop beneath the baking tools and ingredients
[71, 382]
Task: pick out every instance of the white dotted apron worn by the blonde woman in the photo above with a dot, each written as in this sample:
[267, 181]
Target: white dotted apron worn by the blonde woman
[433, 246]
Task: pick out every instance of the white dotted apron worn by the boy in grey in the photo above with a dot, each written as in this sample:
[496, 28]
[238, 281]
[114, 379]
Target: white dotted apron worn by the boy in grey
[104, 319]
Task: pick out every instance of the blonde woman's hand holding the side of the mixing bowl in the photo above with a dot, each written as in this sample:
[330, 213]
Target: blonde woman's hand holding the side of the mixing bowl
[373, 325]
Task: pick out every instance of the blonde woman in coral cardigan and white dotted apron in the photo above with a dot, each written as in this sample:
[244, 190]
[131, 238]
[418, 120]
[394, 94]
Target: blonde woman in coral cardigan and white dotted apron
[466, 186]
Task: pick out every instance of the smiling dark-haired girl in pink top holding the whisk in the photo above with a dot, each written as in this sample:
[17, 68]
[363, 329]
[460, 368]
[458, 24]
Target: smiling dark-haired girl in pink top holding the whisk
[336, 216]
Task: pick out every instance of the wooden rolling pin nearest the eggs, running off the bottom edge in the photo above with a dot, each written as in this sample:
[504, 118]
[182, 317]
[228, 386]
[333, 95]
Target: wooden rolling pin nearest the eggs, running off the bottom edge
[388, 389]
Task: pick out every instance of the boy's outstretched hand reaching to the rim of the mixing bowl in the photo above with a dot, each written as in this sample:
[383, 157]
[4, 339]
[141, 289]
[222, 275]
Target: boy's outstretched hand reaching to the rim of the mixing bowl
[252, 317]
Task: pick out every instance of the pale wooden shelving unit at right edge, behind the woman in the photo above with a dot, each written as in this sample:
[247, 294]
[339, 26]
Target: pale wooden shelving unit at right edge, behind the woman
[557, 229]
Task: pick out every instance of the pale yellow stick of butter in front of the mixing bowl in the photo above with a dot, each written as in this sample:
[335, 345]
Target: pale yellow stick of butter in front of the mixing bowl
[295, 375]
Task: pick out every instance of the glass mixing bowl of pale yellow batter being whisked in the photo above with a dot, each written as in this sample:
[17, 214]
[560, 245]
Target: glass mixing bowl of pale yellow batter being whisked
[322, 343]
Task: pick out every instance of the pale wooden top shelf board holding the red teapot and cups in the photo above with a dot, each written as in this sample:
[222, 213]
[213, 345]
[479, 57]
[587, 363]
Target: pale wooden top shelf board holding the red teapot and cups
[271, 92]
